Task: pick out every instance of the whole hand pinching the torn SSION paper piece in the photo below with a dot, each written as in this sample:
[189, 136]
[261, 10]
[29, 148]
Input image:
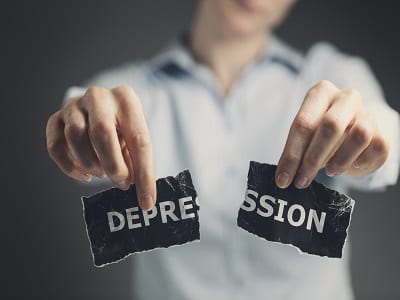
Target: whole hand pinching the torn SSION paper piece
[333, 130]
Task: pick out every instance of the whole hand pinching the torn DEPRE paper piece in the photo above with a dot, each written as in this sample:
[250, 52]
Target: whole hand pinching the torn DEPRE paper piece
[104, 132]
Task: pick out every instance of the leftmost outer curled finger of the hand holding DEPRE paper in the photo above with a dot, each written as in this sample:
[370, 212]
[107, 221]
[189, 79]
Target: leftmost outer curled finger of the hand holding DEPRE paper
[59, 152]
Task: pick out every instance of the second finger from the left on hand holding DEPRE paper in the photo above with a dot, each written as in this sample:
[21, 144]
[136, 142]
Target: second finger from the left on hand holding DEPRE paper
[77, 137]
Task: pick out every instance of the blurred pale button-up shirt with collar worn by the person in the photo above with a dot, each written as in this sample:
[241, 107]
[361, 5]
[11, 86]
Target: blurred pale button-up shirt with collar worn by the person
[193, 128]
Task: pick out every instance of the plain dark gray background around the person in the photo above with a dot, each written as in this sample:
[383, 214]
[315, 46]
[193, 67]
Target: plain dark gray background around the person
[48, 45]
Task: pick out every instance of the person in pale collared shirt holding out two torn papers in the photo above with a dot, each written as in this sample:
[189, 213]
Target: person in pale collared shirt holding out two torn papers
[228, 92]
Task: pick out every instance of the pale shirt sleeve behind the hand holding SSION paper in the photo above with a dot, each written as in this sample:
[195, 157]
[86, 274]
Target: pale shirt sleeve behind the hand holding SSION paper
[353, 72]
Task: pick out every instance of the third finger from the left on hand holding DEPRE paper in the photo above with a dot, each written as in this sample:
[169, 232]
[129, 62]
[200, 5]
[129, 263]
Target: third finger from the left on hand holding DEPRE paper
[103, 135]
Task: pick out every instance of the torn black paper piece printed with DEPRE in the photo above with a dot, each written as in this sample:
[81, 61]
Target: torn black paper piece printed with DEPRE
[117, 227]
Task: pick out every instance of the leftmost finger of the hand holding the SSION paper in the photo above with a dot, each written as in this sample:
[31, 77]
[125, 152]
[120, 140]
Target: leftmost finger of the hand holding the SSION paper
[315, 104]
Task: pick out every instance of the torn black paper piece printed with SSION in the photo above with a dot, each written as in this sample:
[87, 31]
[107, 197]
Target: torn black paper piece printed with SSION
[315, 219]
